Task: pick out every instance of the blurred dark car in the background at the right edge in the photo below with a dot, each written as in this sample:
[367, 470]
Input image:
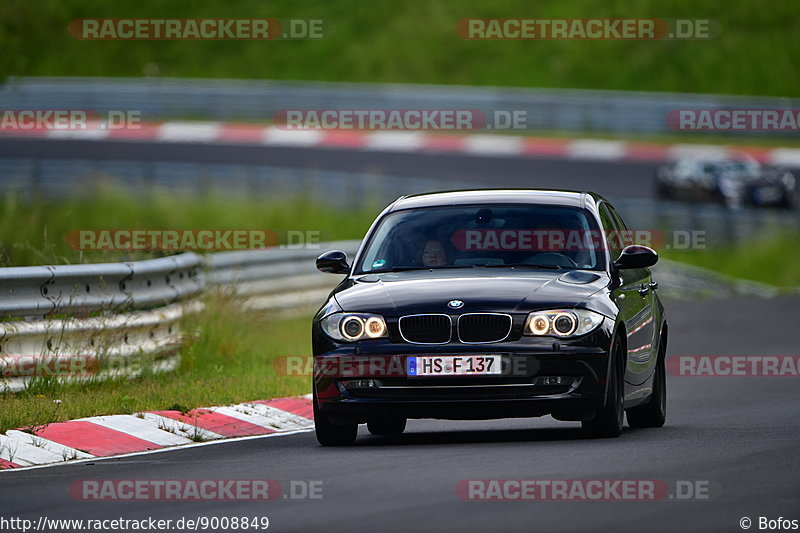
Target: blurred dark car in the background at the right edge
[732, 182]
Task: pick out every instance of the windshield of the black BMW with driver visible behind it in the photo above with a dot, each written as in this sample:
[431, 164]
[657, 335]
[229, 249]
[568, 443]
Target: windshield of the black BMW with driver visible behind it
[524, 236]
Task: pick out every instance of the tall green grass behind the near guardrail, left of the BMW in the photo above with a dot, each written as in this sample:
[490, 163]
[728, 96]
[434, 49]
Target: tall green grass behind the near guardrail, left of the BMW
[34, 232]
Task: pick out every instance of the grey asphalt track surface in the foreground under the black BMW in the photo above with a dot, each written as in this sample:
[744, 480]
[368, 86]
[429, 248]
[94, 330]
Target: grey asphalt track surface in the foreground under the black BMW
[740, 435]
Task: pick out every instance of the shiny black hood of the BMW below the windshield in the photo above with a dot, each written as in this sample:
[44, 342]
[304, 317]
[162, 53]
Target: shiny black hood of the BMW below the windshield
[425, 291]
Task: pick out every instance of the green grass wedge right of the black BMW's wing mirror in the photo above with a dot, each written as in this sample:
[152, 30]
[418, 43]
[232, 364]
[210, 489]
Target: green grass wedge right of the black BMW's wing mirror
[773, 259]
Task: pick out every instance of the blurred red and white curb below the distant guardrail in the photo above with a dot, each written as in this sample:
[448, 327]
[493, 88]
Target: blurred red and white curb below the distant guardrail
[473, 144]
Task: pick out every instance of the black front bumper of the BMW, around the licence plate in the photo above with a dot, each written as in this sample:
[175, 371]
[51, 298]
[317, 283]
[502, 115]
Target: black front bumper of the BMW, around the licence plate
[344, 399]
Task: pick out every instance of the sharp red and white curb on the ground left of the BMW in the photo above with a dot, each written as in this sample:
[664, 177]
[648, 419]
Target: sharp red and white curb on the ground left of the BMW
[111, 435]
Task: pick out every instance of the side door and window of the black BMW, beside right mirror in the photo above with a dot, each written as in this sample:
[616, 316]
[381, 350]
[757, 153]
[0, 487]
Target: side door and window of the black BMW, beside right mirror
[635, 299]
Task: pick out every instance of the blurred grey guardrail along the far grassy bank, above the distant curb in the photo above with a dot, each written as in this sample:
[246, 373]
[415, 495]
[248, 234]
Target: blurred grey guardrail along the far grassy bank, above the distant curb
[547, 109]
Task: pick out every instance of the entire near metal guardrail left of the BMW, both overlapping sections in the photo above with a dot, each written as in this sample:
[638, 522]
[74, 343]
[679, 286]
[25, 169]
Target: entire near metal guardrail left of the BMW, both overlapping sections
[89, 322]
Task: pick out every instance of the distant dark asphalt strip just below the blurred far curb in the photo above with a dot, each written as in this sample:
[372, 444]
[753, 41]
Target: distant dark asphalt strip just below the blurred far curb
[613, 178]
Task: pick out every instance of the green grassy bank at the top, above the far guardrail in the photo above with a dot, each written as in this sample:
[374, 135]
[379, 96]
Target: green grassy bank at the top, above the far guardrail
[756, 53]
